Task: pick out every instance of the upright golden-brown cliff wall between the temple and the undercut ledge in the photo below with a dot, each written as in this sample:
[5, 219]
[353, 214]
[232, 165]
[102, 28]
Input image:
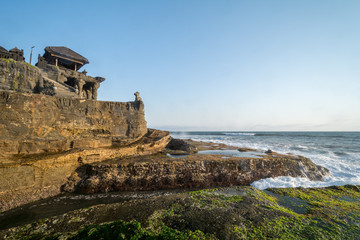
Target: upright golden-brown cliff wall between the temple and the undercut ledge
[34, 123]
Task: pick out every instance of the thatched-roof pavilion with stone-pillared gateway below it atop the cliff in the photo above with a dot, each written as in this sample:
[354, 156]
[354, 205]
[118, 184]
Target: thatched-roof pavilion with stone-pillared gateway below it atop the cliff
[61, 64]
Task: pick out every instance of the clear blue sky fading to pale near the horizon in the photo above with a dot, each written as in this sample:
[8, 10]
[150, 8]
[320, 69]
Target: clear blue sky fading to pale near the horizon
[237, 65]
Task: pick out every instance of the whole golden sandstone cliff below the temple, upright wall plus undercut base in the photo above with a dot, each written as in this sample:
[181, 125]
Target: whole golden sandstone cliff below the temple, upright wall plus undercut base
[44, 139]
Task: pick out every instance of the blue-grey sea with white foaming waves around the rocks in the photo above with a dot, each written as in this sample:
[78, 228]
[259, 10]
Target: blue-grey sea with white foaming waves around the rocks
[337, 151]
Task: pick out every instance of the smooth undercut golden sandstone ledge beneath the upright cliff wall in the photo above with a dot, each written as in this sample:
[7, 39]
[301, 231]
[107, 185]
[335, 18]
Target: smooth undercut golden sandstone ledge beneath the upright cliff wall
[27, 178]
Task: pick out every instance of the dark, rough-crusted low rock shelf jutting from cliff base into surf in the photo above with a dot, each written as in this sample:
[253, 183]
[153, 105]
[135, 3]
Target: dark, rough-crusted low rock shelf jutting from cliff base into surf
[192, 171]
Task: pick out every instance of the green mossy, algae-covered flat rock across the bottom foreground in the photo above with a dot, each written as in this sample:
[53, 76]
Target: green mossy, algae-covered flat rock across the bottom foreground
[225, 213]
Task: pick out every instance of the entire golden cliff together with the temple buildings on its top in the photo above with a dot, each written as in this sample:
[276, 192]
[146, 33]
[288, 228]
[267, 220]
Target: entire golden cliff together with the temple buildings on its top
[51, 123]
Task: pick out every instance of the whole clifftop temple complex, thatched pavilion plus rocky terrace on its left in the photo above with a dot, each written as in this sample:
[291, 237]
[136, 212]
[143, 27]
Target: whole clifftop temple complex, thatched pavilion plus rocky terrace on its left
[56, 73]
